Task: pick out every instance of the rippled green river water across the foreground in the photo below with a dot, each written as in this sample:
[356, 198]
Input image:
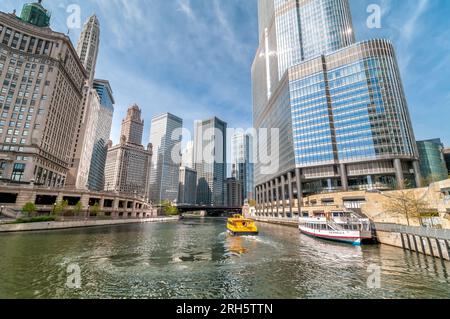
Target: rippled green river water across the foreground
[195, 258]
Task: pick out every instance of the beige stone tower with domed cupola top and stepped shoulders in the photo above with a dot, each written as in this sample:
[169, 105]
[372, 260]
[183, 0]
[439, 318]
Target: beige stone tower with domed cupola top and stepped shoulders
[127, 168]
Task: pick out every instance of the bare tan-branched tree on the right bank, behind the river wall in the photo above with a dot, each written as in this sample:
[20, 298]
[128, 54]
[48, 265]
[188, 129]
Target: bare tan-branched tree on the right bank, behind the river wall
[406, 204]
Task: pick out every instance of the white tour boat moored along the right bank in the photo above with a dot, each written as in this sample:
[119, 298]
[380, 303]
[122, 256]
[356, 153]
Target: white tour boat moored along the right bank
[339, 226]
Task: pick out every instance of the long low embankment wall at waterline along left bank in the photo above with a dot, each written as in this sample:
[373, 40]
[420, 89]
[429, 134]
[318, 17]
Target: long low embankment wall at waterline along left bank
[46, 226]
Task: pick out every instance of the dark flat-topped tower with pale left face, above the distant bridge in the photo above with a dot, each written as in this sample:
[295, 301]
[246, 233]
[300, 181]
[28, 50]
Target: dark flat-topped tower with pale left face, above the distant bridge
[210, 160]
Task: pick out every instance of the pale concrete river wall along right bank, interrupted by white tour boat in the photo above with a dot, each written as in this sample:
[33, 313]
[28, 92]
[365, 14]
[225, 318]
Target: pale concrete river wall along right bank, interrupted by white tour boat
[427, 241]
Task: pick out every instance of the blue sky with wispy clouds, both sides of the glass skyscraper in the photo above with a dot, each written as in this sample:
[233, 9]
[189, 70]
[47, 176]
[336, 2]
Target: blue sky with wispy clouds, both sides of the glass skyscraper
[193, 57]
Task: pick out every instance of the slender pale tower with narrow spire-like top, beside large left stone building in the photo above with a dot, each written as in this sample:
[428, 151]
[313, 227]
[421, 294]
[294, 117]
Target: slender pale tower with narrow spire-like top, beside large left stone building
[89, 119]
